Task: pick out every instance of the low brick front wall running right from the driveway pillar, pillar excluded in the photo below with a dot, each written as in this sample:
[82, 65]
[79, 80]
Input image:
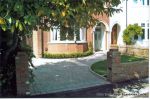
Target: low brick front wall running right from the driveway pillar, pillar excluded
[128, 71]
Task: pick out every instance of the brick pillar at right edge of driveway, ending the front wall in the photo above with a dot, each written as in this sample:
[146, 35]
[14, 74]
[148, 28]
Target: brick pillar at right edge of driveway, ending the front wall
[113, 64]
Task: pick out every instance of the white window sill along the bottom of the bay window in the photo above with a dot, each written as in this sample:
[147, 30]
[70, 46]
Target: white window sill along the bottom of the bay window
[67, 42]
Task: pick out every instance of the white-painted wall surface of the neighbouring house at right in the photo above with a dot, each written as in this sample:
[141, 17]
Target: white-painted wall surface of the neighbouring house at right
[136, 13]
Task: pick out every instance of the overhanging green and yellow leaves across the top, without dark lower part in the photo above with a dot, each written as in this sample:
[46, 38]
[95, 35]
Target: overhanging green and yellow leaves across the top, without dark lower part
[27, 14]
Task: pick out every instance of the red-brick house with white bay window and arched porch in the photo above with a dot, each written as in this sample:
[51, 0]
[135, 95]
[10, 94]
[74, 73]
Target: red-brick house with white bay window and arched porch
[76, 40]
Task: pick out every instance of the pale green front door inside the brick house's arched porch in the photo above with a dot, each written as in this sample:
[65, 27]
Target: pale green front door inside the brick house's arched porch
[98, 38]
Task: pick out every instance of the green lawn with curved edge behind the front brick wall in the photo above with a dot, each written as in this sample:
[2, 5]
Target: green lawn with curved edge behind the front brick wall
[101, 68]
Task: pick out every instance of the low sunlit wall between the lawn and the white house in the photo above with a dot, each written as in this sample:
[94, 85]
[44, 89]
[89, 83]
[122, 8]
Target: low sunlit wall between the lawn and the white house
[134, 50]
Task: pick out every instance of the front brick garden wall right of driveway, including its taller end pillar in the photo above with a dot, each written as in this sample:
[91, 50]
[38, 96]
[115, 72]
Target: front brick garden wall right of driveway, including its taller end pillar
[118, 71]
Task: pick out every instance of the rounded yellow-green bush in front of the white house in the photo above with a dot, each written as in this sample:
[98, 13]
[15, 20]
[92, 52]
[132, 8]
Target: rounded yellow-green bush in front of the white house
[131, 33]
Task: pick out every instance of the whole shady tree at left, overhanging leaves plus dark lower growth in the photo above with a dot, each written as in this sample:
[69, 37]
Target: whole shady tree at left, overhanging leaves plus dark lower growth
[19, 17]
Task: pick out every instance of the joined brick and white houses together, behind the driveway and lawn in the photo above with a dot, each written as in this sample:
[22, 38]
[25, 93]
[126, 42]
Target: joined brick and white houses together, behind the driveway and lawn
[108, 31]
